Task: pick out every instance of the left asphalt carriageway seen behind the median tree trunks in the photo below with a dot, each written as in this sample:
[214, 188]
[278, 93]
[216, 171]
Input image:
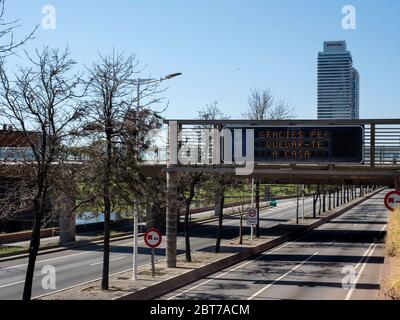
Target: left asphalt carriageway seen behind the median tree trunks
[84, 264]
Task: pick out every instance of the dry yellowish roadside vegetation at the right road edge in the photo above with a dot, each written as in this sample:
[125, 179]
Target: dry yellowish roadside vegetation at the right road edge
[393, 251]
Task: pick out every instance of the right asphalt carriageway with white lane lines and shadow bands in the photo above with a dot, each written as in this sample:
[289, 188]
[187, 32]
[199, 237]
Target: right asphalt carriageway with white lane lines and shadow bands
[340, 260]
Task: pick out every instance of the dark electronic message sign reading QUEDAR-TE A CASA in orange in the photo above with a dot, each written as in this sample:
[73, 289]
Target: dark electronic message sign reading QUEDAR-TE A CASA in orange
[306, 143]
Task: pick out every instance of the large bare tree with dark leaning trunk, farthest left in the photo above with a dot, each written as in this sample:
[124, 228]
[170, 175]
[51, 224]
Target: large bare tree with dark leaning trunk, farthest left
[40, 101]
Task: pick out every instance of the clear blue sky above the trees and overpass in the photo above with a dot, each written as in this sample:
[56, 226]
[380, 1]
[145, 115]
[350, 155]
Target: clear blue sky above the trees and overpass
[225, 47]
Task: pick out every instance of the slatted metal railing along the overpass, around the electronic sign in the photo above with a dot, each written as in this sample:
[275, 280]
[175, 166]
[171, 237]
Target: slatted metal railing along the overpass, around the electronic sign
[381, 145]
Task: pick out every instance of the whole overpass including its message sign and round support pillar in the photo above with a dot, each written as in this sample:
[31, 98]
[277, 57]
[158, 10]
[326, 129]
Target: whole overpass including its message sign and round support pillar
[333, 152]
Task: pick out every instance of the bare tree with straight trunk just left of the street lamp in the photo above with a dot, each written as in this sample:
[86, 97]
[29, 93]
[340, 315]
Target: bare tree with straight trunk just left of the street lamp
[116, 127]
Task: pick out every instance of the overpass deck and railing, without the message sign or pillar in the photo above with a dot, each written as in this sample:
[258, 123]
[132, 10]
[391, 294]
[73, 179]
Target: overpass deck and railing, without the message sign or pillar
[380, 145]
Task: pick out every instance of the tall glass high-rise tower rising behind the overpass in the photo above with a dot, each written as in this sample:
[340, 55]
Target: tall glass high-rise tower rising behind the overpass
[338, 83]
